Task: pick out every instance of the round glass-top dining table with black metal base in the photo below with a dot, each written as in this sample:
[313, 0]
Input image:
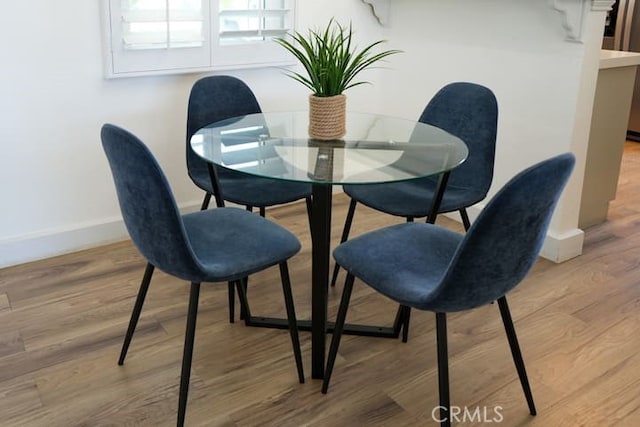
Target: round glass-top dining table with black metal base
[376, 149]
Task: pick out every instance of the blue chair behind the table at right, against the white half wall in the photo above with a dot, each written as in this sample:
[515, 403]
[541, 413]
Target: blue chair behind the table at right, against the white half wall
[468, 111]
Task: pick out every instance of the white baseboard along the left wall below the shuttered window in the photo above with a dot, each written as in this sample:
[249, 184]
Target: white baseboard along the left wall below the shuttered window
[51, 243]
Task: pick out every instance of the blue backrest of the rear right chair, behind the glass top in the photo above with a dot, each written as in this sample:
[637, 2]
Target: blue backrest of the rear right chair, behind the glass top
[470, 112]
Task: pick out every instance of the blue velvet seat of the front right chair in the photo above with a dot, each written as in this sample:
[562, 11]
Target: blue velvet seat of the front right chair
[405, 262]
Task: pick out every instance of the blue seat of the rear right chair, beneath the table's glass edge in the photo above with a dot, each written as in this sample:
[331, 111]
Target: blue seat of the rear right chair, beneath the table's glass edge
[412, 198]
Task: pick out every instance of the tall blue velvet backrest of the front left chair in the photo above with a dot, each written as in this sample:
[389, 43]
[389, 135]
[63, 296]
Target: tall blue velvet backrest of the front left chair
[147, 204]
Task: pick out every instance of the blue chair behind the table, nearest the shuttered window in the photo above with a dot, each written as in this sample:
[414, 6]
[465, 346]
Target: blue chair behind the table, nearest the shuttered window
[216, 98]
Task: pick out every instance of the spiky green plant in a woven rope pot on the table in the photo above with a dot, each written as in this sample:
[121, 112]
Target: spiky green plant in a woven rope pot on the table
[331, 62]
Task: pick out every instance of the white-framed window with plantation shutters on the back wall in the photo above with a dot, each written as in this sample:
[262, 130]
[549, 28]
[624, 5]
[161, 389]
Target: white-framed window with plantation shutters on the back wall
[146, 37]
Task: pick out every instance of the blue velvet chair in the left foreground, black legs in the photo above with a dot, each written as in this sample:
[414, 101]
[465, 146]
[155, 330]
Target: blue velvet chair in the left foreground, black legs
[217, 245]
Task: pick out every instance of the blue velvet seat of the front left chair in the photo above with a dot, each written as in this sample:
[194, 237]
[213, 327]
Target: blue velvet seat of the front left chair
[231, 243]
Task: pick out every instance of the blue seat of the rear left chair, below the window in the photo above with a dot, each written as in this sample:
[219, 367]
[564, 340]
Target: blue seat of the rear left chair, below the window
[250, 190]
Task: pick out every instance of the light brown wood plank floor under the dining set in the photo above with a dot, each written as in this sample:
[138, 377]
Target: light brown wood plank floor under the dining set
[62, 322]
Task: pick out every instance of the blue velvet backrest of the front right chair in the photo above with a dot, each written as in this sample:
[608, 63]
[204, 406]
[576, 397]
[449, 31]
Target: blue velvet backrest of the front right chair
[504, 241]
